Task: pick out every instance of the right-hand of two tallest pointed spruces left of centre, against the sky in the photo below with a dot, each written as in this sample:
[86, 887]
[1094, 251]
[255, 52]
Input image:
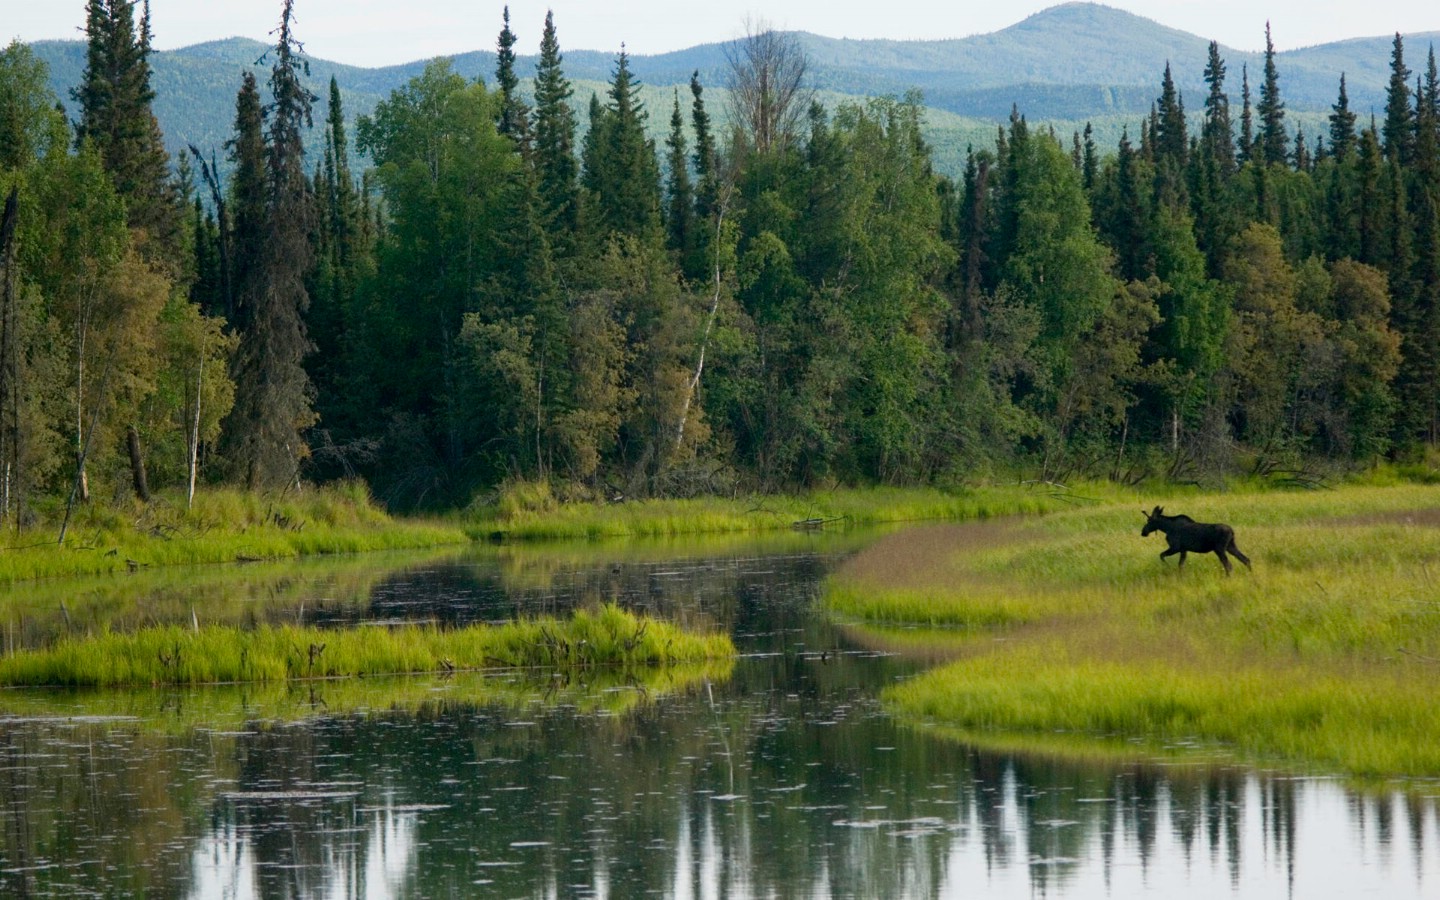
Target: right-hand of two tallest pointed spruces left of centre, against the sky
[555, 145]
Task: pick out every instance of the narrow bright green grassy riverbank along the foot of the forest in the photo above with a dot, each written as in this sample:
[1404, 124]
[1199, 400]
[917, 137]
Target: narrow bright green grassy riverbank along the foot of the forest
[228, 526]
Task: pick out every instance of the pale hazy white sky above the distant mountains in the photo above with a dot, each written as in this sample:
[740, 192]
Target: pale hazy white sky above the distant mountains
[384, 32]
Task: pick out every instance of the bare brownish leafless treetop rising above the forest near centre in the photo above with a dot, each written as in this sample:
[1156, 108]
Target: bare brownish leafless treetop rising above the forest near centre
[770, 96]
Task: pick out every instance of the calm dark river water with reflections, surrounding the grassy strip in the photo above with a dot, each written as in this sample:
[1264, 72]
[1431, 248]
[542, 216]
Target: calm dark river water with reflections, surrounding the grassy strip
[784, 780]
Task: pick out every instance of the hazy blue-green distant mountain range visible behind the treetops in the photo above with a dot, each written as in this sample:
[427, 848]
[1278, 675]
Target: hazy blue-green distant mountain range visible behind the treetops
[1066, 66]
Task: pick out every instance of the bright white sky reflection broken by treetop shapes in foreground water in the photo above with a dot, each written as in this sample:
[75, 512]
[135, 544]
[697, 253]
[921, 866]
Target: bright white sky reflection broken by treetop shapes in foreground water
[1337, 846]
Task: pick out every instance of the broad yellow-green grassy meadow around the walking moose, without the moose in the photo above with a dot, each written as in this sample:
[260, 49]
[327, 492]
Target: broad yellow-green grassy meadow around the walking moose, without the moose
[1069, 631]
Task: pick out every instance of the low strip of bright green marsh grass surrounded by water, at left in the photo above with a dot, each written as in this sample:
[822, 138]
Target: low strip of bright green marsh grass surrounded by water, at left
[606, 637]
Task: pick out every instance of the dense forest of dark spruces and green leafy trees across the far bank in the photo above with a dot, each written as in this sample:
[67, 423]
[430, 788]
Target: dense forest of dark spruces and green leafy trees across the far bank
[780, 296]
